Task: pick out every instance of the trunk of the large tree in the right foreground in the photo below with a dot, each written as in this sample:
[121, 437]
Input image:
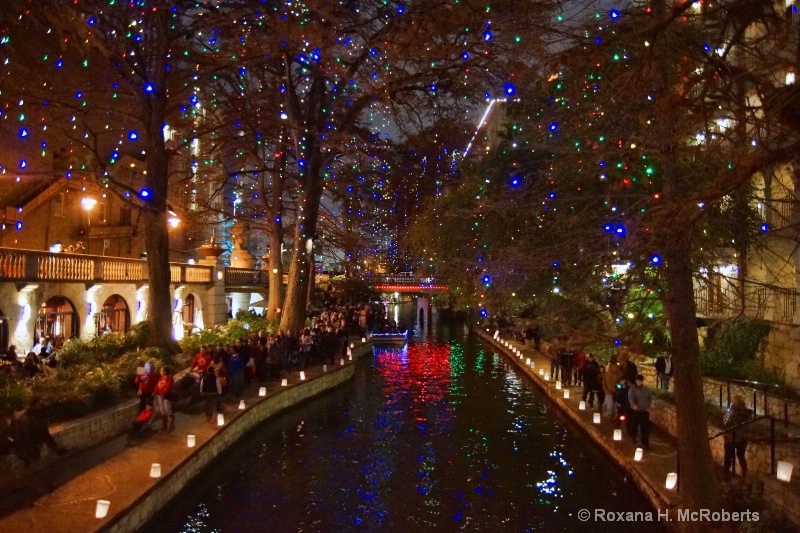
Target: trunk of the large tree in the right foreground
[699, 488]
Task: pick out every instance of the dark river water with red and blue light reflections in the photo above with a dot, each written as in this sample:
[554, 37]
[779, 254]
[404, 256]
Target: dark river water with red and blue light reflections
[441, 434]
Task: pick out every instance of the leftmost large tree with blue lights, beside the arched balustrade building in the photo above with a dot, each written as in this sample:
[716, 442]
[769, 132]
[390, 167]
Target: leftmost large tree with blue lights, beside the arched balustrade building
[102, 80]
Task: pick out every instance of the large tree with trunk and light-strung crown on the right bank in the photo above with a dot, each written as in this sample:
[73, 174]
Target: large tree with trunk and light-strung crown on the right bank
[640, 152]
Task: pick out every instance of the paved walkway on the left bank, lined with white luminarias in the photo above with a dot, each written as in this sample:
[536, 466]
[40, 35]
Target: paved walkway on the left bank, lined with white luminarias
[119, 471]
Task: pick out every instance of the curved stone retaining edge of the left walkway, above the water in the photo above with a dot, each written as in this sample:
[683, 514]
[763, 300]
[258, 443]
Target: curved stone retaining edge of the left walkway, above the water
[158, 496]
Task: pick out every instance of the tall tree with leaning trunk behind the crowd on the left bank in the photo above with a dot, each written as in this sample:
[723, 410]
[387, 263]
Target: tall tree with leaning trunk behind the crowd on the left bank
[343, 72]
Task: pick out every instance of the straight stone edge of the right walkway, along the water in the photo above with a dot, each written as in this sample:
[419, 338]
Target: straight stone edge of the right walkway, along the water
[651, 492]
